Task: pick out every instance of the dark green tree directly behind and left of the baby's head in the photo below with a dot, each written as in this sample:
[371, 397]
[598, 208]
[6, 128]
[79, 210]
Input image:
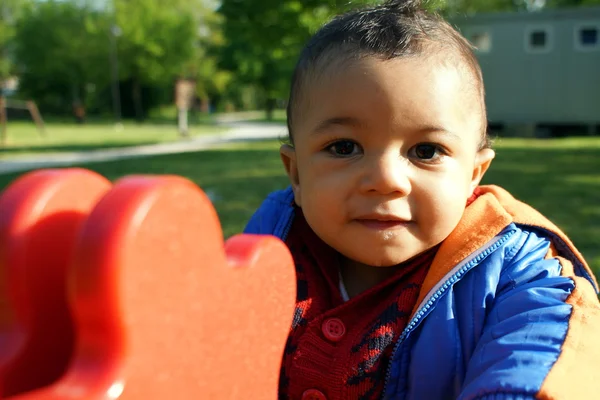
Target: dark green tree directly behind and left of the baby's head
[263, 39]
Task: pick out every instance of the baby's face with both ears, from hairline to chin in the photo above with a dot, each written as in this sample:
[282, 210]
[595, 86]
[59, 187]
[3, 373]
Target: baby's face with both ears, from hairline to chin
[386, 155]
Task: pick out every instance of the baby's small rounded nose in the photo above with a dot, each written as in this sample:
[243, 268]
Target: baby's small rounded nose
[387, 174]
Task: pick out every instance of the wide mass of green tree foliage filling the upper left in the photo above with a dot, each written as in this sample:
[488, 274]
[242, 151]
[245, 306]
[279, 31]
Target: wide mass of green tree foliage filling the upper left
[63, 50]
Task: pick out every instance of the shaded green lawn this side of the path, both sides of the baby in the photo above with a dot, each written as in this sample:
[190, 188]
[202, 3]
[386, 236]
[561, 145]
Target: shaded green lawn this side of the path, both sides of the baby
[559, 177]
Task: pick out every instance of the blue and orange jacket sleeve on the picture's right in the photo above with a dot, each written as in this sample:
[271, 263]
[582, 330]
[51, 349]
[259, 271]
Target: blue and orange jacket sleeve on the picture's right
[539, 339]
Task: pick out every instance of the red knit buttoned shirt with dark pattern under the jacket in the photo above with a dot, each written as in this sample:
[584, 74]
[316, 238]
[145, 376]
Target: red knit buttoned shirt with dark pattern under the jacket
[336, 349]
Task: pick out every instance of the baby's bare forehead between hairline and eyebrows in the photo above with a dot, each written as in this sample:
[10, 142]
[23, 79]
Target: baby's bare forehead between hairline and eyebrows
[413, 90]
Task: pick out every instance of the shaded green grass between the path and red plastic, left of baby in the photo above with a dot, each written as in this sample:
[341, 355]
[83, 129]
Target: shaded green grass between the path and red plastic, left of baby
[240, 176]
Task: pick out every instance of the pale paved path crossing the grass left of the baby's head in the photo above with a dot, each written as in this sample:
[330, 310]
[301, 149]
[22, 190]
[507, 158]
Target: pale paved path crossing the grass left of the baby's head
[238, 131]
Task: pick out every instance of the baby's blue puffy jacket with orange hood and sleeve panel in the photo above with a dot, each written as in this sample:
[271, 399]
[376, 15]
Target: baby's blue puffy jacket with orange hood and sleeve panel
[508, 309]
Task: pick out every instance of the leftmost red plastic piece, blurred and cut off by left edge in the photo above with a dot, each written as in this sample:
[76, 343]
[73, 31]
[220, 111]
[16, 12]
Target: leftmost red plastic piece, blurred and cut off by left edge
[40, 217]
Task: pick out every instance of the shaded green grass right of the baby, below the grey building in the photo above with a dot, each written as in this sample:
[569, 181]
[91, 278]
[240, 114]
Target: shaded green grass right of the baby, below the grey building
[559, 177]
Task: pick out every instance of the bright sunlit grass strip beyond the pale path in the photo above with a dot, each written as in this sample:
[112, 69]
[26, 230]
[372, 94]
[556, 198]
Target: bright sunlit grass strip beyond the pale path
[25, 140]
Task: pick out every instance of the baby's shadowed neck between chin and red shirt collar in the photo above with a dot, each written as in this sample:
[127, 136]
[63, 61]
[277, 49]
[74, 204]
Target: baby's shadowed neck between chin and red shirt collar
[358, 277]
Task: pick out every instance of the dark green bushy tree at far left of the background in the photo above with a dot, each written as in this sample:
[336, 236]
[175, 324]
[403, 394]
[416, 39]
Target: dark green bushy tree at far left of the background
[60, 52]
